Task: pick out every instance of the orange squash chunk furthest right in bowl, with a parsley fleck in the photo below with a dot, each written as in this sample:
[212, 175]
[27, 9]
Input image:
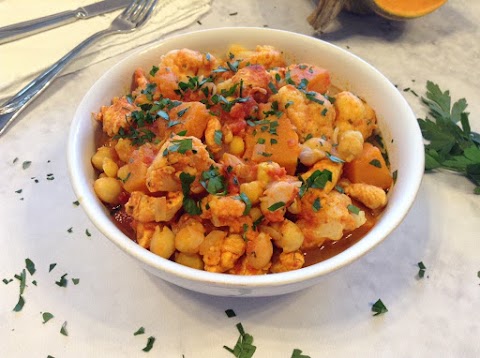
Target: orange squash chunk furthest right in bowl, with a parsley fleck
[369, 168]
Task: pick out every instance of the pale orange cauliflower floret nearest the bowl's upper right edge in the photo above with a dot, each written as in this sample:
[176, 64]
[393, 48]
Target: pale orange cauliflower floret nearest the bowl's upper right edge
[354, 114]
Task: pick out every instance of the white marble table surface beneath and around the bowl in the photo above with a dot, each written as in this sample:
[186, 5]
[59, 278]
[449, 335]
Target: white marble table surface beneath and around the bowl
[436, 316]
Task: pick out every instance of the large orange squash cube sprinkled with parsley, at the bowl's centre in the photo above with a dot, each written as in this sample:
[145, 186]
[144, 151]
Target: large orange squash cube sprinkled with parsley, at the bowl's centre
[273, 139]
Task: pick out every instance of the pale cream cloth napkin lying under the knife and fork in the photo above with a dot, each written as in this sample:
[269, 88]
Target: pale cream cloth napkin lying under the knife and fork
[22, 60]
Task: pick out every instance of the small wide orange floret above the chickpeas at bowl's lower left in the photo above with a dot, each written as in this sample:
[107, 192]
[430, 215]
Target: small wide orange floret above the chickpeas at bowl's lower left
[145, 208]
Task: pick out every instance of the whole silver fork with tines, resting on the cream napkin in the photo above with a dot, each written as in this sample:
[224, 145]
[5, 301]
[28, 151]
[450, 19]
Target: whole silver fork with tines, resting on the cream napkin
[133, 17]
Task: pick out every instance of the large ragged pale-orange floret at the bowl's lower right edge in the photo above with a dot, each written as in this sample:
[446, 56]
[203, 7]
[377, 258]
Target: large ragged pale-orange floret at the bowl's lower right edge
[329, 220]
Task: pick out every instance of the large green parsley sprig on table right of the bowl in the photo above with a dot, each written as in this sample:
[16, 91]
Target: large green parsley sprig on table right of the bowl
[452, 144]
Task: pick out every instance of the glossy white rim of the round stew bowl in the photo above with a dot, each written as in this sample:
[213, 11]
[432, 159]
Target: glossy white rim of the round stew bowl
[92, 206]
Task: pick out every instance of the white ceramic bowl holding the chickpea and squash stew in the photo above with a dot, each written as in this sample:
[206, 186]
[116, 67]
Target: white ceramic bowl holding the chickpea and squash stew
[395, 118]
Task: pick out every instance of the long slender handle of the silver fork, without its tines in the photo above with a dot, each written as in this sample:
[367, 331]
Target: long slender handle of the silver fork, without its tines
[10, 110]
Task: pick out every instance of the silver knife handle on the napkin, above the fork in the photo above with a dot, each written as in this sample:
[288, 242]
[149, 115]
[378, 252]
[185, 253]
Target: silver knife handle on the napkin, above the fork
[30, 27]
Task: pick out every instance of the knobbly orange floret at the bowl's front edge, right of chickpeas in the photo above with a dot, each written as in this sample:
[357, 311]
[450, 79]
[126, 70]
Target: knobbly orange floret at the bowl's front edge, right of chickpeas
[220, 252]
